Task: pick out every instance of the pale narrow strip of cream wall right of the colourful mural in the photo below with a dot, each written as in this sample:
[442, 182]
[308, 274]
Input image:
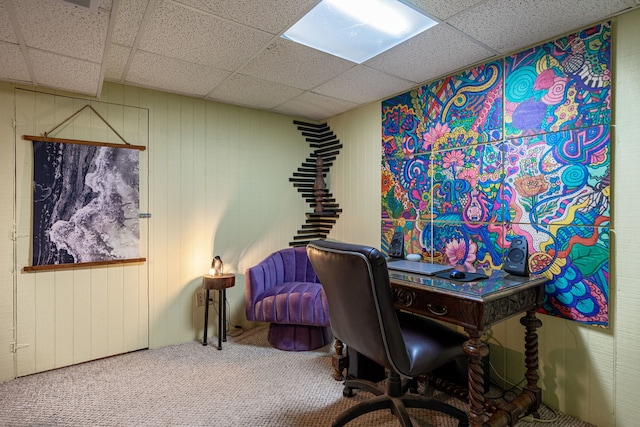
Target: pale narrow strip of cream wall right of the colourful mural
[626, 235]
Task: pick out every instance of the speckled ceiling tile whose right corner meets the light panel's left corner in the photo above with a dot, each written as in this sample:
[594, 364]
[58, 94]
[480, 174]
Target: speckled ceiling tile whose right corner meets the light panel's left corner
[183, 33]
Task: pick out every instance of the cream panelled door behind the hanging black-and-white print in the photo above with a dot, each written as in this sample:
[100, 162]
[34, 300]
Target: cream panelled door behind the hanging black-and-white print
[71, 316]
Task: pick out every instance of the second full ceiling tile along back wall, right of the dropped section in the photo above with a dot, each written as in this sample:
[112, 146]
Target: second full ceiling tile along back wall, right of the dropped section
[243, 90]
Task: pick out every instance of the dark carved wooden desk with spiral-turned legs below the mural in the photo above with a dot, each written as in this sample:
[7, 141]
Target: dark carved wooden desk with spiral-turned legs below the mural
[476, 306]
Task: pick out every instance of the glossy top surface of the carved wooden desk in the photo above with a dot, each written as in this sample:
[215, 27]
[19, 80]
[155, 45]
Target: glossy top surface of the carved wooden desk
[498, 285]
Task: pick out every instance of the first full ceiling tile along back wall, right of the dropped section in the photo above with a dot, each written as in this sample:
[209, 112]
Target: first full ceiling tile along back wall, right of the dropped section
[173, 75]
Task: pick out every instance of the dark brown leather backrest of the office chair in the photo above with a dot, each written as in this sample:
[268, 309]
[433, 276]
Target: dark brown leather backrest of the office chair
[356, 282]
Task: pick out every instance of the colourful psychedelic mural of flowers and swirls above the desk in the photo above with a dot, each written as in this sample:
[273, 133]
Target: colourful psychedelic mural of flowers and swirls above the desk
[514, 147]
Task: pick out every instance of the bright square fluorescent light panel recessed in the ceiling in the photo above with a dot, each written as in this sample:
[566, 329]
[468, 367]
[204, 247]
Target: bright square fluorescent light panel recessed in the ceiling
[357, 30]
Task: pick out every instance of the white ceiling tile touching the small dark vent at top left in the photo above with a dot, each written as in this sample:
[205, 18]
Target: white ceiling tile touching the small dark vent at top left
[63, 29]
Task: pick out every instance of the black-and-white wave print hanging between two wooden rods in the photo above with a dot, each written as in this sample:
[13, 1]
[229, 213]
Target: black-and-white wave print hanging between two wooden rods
[85, 203]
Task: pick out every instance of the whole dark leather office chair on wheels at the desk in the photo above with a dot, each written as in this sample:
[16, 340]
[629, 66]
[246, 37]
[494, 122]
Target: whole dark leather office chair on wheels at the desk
[356, 282]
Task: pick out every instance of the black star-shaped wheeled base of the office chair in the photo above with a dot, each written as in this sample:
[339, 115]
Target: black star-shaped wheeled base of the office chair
[396, 401]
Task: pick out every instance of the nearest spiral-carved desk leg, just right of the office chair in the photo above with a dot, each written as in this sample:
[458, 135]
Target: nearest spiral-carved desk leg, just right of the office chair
[476, 349]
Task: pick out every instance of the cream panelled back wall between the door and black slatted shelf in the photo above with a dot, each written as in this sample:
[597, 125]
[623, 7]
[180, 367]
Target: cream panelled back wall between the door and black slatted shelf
[219, 185]
